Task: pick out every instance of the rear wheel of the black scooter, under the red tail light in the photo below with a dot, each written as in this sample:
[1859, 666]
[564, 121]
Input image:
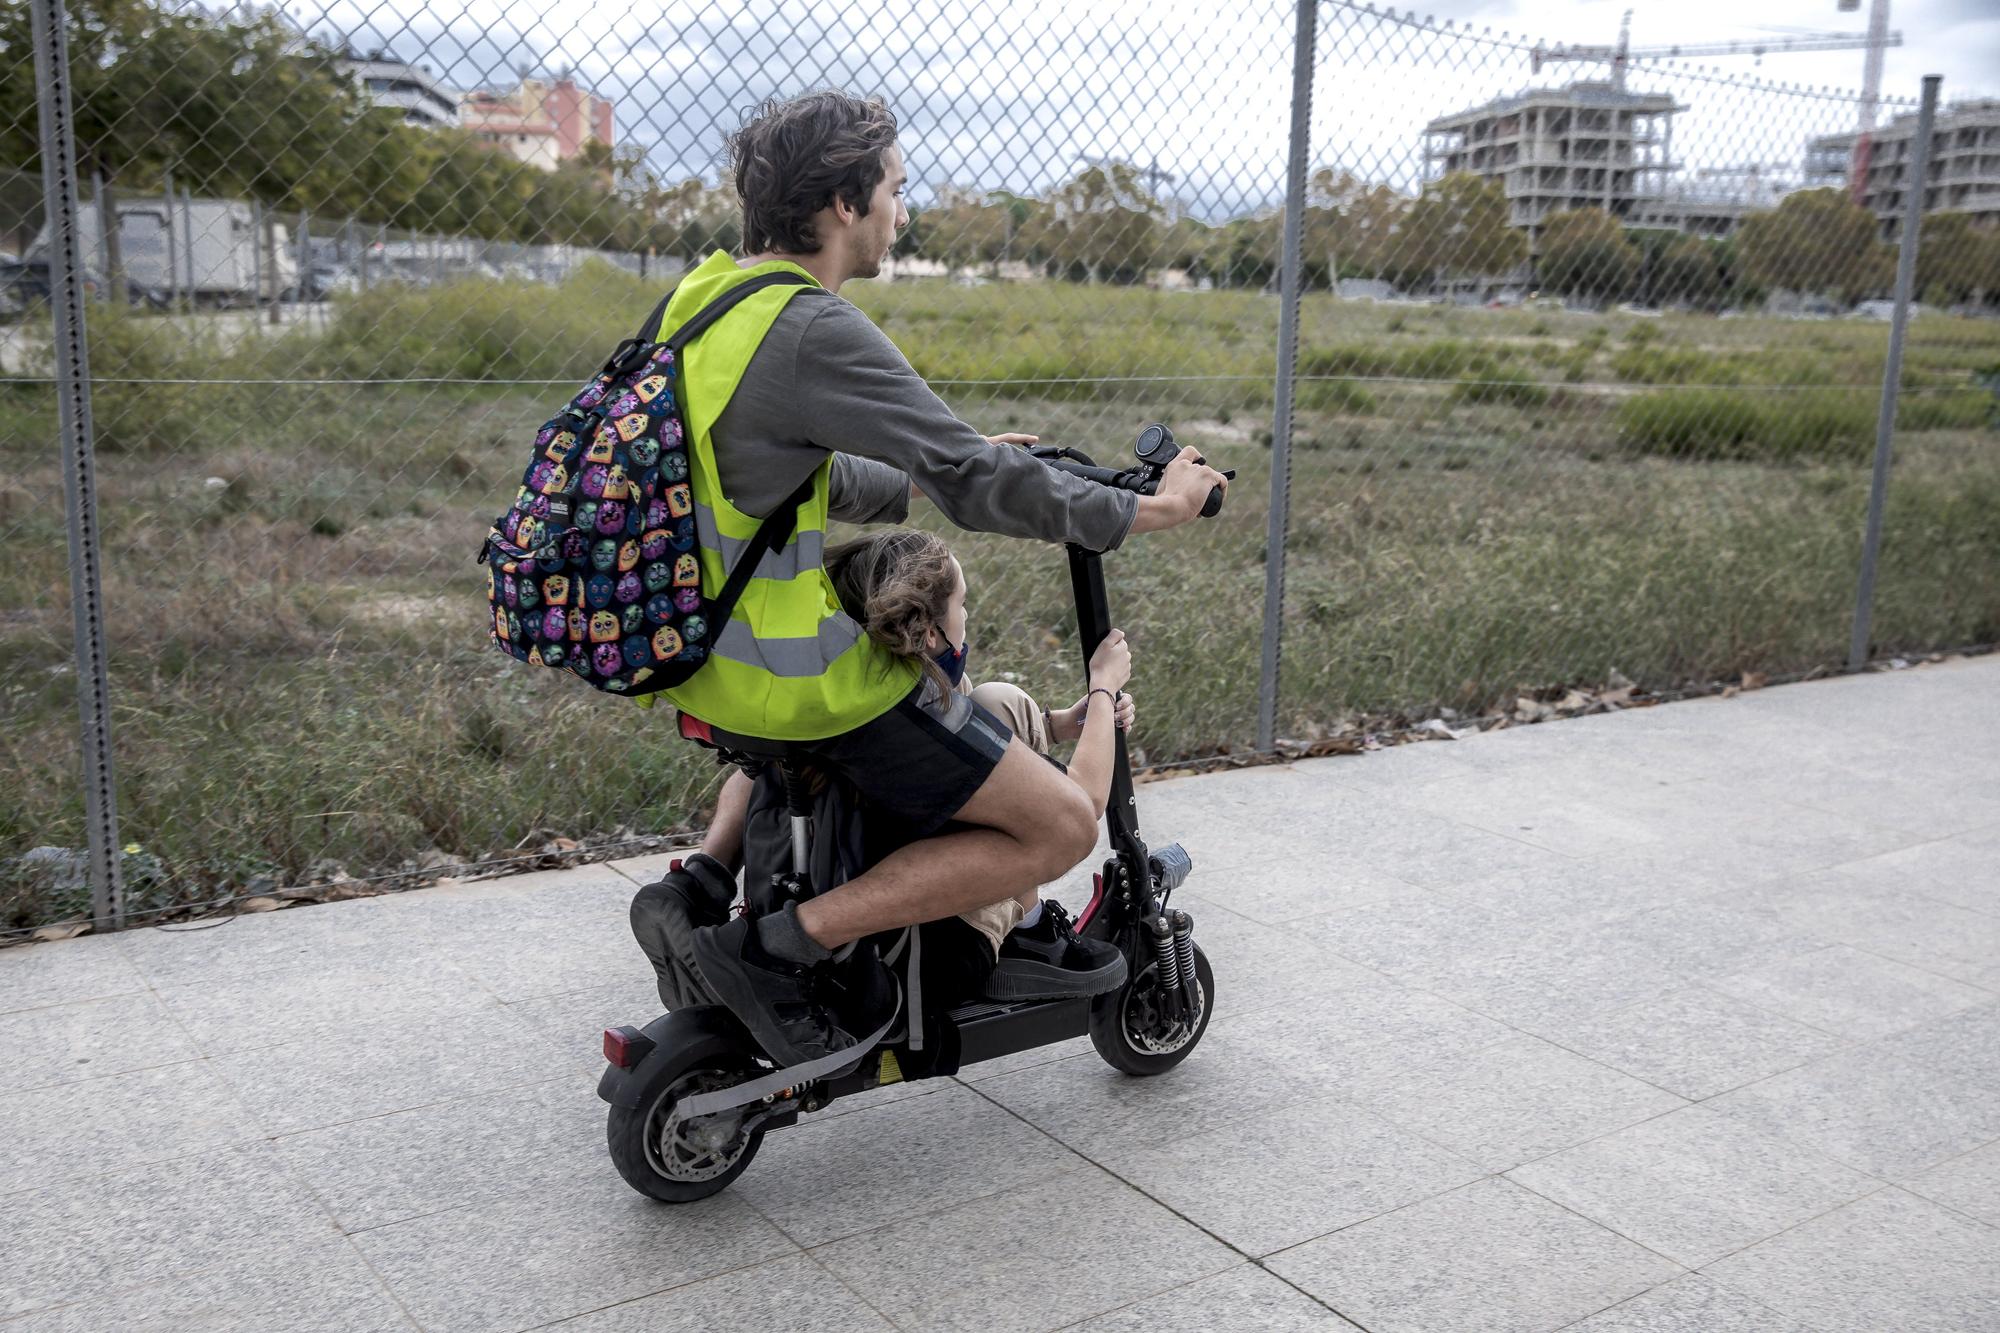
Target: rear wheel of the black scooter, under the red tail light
[665, 1156]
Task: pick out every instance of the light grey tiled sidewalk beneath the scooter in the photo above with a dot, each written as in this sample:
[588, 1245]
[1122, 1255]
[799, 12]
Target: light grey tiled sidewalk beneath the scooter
[1679, 1020]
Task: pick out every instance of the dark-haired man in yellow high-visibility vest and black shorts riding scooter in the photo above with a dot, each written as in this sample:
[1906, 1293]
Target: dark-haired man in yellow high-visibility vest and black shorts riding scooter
[793, 385]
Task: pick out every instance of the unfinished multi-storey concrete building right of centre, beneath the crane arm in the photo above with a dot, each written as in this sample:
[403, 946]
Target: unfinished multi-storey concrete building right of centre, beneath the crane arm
[1589, 145]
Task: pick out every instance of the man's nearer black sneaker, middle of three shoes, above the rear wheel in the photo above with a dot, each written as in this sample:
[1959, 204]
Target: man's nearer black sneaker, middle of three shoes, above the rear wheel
[797, 1014]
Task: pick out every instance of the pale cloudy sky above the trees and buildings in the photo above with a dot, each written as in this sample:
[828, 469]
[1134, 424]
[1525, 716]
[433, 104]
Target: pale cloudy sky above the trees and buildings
[1019, 93]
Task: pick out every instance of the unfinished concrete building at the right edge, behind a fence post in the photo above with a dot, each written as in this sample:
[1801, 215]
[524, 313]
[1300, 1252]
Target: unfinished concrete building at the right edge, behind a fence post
[1965, 165]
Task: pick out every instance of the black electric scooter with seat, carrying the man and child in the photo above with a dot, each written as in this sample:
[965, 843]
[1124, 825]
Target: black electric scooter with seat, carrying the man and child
[693, 1096]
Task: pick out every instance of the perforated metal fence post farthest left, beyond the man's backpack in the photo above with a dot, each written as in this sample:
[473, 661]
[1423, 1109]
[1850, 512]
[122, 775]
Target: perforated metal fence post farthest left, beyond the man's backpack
[79, 479]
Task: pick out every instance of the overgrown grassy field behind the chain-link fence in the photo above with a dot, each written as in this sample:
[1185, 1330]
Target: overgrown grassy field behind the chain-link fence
[1483, 501]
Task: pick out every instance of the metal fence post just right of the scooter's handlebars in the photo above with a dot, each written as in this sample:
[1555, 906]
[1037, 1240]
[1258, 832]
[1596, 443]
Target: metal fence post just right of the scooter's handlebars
[1281, 423]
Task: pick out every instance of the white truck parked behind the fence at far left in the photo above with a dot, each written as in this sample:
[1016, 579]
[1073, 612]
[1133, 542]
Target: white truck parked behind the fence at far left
[205, 249]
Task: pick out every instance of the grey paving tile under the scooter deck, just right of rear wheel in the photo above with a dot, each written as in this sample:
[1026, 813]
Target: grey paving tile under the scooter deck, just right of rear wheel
[821, 1182]
